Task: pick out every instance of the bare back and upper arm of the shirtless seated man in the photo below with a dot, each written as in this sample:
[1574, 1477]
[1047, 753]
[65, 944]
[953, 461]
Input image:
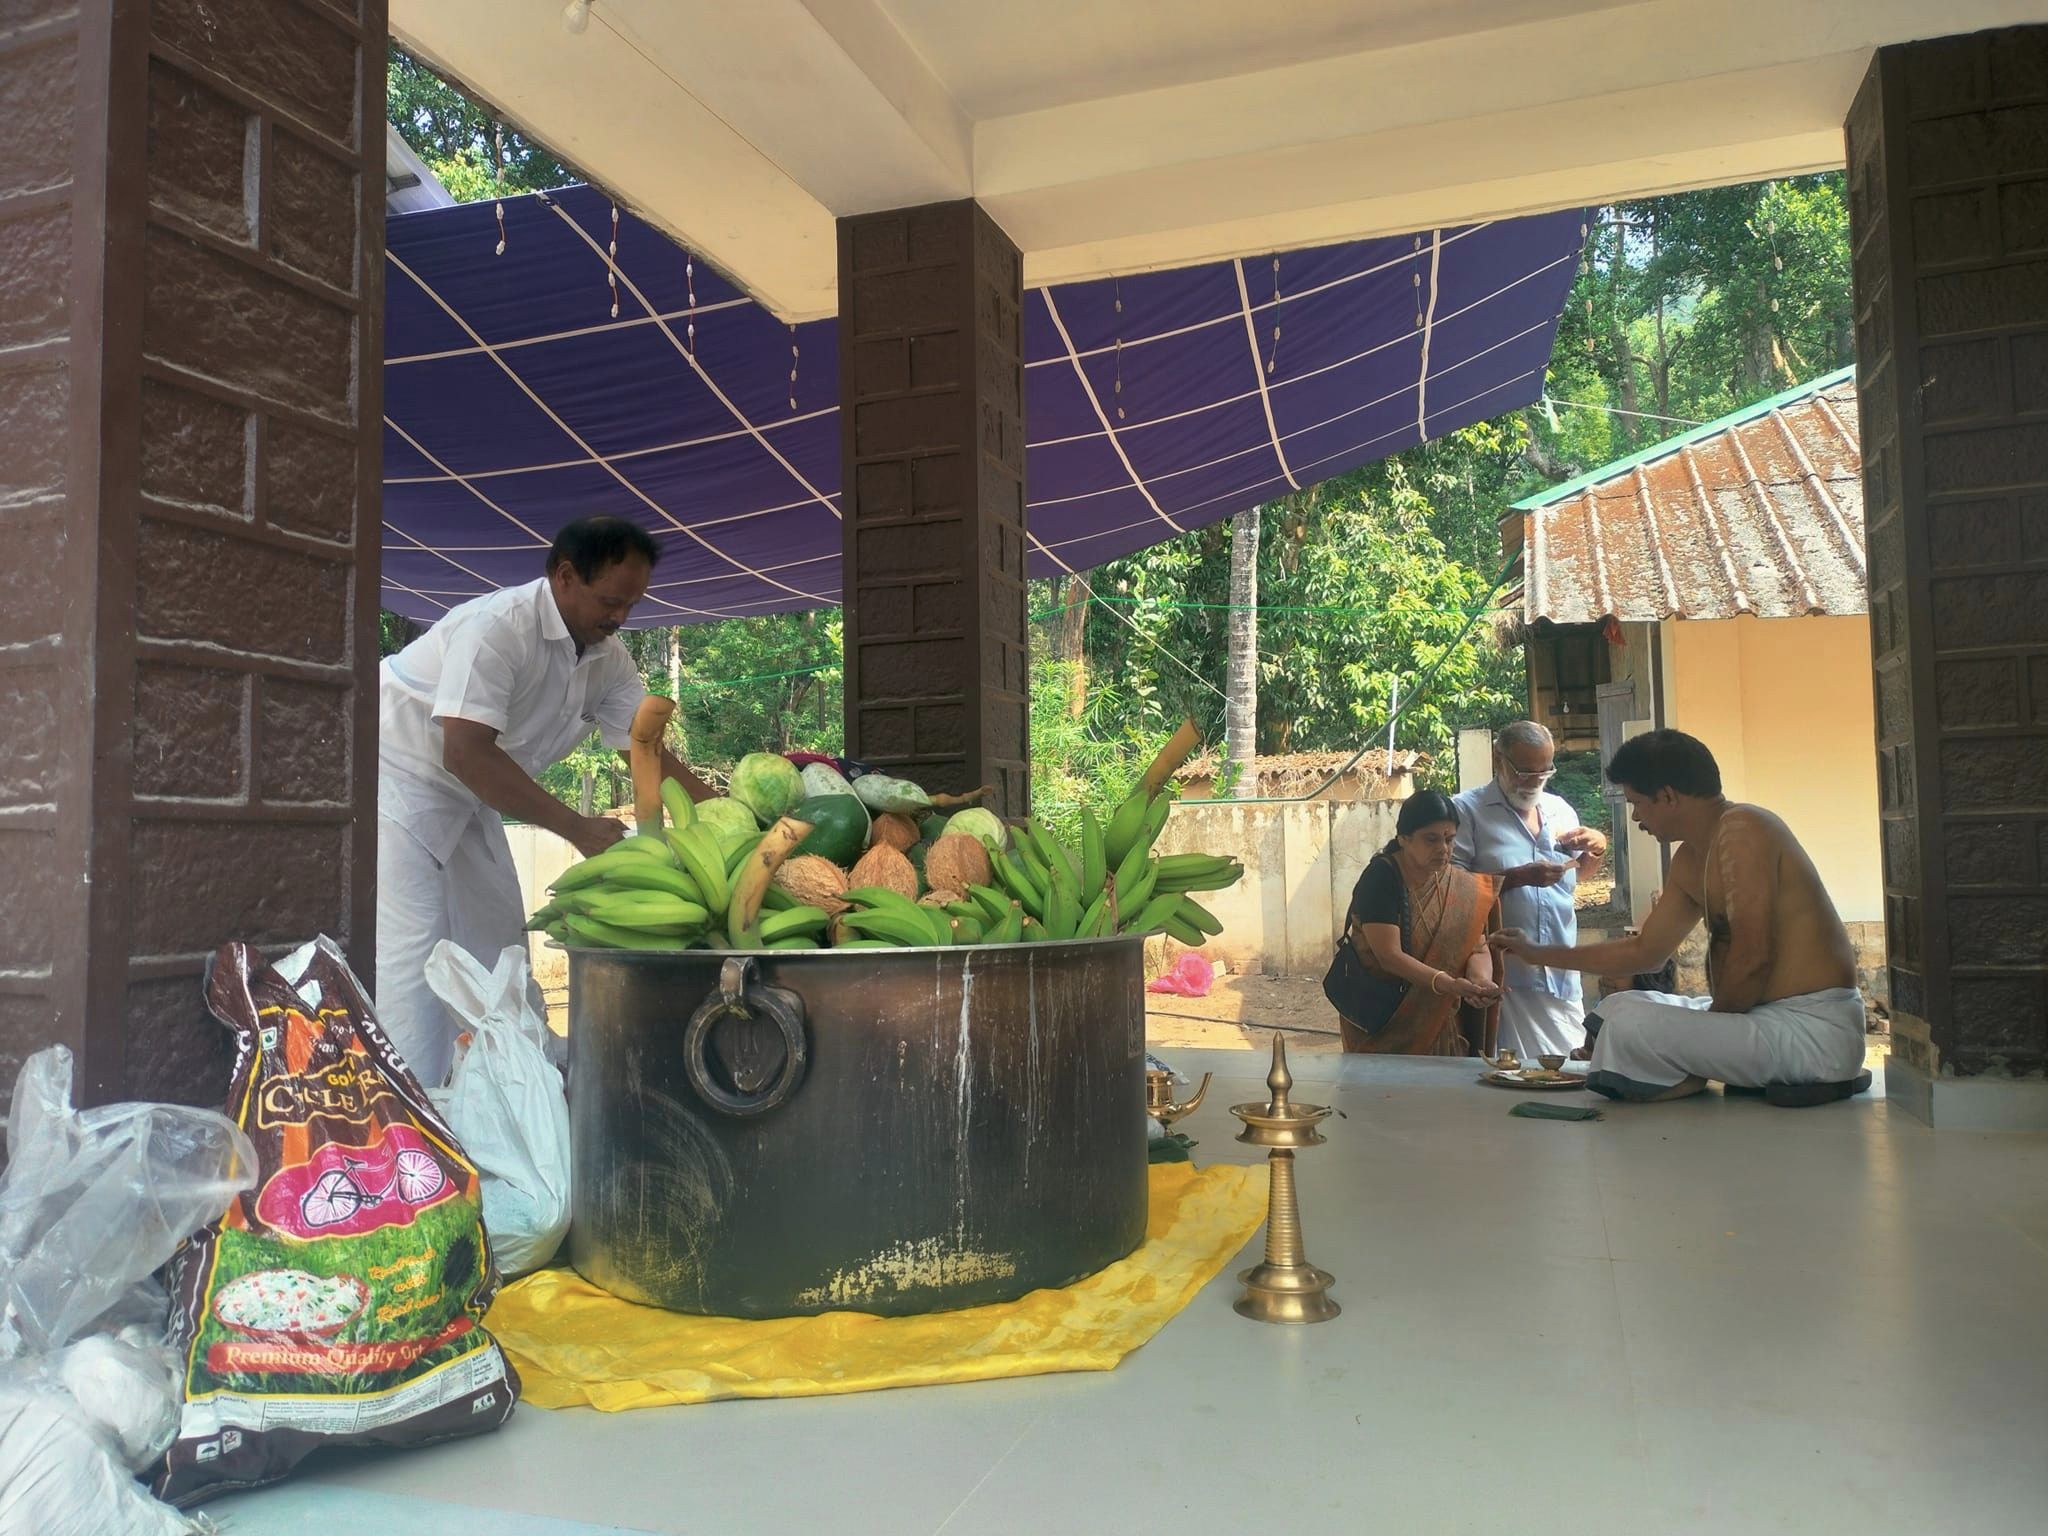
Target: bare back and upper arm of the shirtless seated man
[1773, 929]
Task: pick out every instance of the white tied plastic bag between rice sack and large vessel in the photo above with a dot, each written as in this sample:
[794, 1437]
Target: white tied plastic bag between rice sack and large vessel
[505, 1105]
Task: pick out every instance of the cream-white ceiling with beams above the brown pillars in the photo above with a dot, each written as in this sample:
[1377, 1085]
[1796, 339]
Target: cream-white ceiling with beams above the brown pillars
[746, 130]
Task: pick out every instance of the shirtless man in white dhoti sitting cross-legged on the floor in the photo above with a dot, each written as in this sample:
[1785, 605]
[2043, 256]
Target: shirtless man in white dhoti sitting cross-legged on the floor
[1785, 1017]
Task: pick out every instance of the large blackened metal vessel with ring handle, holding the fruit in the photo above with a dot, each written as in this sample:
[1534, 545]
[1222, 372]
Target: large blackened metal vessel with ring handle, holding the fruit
[886, 1132]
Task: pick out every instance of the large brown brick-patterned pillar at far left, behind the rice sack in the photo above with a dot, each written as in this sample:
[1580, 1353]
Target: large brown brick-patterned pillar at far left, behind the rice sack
[191, 306]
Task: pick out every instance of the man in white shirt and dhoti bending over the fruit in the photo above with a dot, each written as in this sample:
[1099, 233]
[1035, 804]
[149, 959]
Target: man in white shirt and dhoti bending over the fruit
[499, 691]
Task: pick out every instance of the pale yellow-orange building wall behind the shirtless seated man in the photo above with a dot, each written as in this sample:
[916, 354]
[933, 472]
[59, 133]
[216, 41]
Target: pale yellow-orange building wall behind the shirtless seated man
[1787, 710]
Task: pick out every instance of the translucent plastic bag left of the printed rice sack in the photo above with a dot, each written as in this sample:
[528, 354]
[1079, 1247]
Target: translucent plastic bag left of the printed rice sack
[91, 1205]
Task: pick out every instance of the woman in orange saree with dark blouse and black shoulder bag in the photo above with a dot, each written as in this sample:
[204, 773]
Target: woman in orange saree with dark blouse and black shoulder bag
[1420, 978]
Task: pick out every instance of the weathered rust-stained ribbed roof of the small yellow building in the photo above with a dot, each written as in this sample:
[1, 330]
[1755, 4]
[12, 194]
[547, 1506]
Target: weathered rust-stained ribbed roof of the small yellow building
[1760, 513]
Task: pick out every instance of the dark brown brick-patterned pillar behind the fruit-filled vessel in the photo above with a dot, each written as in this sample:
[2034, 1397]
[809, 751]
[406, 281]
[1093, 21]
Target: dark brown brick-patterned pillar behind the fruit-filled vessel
[933, 450]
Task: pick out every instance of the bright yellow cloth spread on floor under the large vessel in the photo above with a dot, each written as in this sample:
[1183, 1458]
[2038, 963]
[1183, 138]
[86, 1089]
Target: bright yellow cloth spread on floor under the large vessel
[577, 1345]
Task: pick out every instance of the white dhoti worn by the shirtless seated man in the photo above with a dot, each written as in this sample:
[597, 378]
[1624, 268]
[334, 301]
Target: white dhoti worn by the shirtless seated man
[1650, 1041]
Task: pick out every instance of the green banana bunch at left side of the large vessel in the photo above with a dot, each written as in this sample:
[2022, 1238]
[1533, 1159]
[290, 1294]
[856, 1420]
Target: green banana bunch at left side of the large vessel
[681, 890]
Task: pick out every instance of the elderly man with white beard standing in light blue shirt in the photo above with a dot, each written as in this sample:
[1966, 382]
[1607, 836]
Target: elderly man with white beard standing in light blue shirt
[1512, 826]
